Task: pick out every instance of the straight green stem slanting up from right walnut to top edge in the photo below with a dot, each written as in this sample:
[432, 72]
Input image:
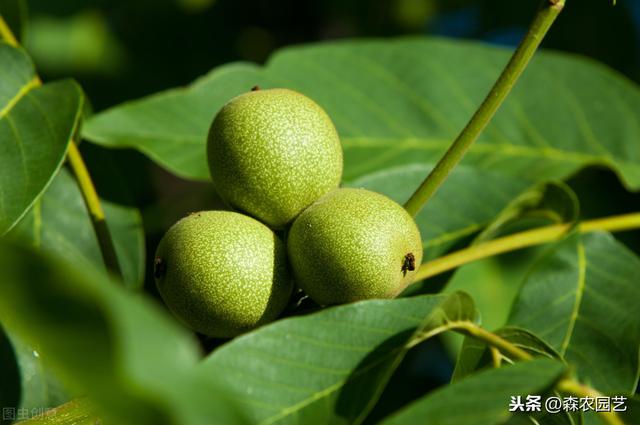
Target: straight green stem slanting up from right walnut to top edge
[521, 57]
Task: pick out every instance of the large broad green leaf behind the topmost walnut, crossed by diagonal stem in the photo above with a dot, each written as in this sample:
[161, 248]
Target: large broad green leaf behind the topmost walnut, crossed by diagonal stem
[403, 101]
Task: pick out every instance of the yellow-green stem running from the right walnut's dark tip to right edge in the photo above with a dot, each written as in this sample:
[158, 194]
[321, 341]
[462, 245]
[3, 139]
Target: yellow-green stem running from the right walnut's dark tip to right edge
[522, 240]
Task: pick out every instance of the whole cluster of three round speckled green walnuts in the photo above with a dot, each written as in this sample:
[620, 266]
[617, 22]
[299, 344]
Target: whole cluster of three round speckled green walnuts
[276, 160]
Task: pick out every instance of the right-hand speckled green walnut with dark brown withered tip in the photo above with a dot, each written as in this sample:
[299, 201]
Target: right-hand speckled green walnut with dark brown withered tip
[351, 245]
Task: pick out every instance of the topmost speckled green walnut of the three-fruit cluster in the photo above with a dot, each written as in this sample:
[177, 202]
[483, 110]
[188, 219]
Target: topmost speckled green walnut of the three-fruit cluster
[272, 153]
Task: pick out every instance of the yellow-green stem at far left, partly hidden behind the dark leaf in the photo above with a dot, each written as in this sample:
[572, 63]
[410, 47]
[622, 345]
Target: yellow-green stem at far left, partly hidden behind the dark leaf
[87, 188]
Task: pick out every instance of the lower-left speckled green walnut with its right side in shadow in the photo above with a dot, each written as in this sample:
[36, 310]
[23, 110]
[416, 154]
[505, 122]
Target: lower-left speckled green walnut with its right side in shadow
[222, 273]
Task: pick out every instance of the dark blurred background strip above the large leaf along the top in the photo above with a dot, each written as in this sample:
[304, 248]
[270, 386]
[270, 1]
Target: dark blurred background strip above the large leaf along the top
[122, 49]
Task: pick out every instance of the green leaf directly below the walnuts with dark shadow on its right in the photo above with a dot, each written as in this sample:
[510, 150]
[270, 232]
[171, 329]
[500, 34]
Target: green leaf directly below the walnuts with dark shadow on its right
[331, 366]
